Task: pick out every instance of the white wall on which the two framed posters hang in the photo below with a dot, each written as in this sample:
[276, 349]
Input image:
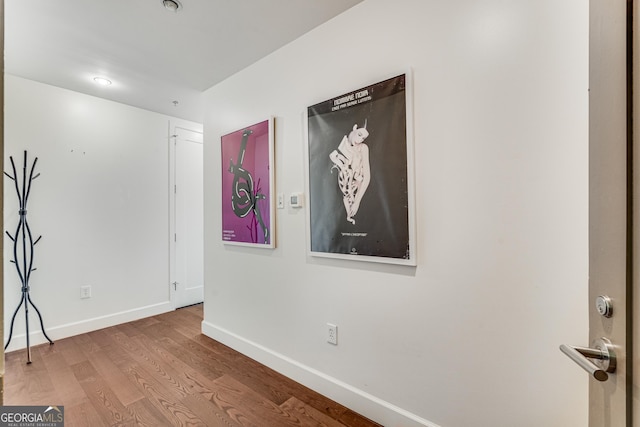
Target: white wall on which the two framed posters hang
[470, 337]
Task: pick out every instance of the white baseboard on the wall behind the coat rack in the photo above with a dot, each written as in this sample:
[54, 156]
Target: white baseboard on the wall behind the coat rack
[19, 341]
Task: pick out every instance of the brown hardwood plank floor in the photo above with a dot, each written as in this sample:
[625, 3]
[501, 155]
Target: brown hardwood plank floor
[161, 371]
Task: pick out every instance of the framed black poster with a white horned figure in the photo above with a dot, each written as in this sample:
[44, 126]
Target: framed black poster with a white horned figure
[360, 174]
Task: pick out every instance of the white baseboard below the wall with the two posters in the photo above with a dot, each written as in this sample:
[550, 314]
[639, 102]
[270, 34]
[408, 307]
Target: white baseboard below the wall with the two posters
[353, 398]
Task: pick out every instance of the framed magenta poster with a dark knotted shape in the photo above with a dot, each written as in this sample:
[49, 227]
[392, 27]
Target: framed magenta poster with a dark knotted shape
[247, 186]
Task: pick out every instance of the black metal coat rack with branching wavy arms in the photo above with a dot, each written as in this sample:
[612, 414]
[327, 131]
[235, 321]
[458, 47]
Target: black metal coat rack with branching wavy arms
[22, 239]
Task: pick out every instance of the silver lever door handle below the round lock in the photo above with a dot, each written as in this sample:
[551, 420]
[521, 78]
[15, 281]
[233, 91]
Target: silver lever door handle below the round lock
[603, 355]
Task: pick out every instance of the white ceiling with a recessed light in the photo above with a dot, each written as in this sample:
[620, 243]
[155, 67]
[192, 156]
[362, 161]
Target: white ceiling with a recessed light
[153, 56]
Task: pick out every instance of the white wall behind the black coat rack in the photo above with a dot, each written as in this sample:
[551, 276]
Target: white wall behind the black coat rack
[101, 204]
